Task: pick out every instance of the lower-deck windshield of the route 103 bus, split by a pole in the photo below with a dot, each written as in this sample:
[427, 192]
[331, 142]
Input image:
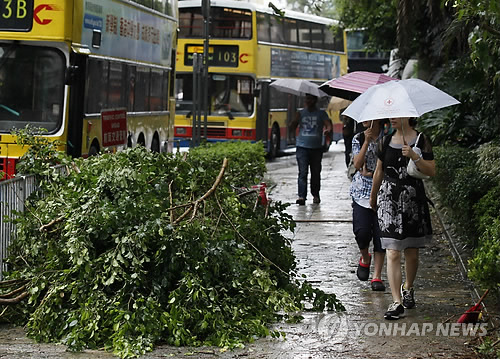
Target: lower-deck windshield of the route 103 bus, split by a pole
[227, 93]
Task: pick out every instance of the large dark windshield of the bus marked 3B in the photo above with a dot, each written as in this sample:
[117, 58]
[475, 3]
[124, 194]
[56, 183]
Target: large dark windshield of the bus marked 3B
[31, 87]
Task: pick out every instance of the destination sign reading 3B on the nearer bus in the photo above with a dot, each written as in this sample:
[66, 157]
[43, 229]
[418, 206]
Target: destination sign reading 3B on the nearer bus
[16, 15]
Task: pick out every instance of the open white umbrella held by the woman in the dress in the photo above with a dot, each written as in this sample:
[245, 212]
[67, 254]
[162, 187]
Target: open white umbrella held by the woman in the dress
[400, 98]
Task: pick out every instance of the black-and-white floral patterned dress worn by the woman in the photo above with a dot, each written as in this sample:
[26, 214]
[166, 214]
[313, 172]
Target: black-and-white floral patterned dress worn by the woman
[403, 212]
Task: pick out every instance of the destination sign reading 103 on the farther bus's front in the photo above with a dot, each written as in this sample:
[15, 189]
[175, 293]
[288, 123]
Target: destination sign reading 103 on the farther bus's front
[218, 55]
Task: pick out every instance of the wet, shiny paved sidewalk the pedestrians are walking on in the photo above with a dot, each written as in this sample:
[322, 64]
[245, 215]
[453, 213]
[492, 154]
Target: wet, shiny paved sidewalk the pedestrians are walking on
[327, 254]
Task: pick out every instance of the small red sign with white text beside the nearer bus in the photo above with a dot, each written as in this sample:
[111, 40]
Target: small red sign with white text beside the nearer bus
[114, 127]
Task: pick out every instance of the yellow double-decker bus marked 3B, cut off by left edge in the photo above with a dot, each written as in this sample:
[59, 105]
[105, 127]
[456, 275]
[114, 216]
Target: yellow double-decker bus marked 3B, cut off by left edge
[93, 74]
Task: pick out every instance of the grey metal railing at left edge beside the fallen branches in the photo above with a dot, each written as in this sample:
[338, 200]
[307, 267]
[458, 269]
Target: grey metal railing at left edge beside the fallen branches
[13, 195]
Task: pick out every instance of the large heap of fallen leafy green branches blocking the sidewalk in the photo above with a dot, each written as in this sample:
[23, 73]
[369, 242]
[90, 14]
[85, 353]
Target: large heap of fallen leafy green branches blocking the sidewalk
[135, 248]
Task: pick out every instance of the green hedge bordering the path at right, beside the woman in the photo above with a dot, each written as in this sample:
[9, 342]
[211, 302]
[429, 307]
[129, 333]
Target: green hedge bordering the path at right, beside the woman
[469, 185]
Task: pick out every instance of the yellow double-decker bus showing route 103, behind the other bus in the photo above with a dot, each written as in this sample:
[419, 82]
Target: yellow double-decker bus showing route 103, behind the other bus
[249, 47]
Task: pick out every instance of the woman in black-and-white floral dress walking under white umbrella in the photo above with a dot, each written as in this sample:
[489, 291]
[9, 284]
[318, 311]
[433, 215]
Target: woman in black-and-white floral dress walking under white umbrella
[402, 209]
